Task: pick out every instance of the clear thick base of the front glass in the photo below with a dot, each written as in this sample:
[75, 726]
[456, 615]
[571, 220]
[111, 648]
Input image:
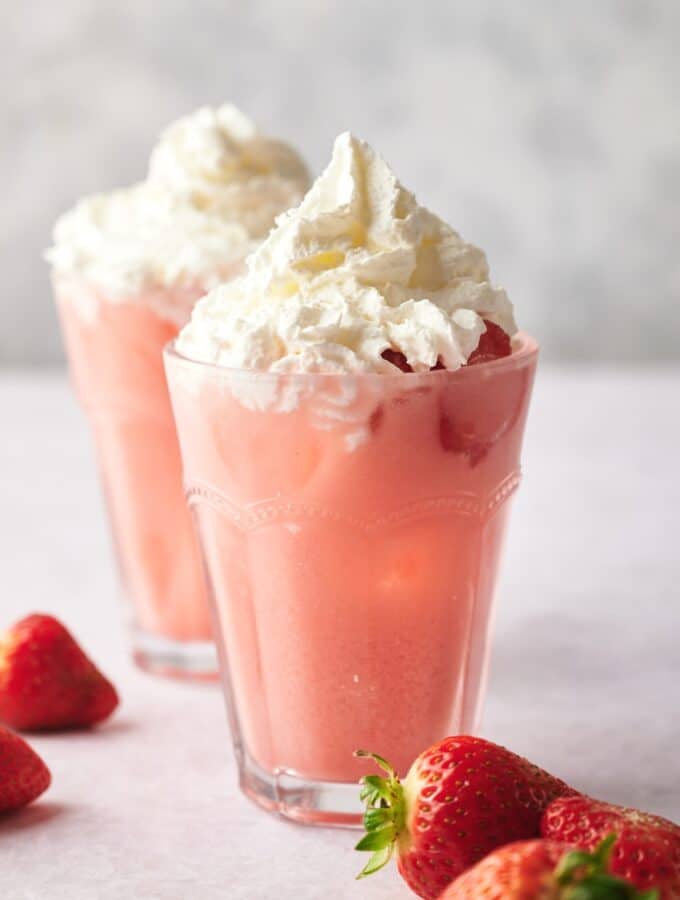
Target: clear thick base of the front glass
[306, 801]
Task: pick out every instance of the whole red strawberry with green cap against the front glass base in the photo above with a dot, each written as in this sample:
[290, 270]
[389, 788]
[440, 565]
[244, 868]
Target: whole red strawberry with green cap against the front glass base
[461, 799]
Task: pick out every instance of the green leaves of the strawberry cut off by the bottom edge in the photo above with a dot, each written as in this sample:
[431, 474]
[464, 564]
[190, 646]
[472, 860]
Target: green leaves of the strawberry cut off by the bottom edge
[586, 876]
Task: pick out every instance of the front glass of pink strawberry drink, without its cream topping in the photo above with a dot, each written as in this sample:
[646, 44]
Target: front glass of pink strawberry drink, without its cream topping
[351, 527]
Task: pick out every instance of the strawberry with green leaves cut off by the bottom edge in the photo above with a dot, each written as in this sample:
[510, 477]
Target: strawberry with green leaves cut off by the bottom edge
[544, 870]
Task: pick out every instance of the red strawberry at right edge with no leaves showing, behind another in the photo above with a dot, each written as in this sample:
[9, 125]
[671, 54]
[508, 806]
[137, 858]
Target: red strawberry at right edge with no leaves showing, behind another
[647, 852]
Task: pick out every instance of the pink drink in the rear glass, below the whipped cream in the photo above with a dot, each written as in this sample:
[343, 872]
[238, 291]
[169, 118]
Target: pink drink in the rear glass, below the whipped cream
[115, 357]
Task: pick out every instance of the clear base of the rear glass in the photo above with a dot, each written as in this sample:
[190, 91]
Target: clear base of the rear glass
[188, 660]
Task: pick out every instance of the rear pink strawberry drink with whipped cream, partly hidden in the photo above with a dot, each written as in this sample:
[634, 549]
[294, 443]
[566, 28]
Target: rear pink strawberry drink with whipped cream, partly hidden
[127, 268]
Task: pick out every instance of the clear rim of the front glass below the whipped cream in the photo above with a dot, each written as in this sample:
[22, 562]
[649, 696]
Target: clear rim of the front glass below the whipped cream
[525, 350]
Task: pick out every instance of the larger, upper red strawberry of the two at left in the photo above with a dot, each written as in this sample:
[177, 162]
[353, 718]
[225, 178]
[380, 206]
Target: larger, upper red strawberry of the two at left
[47, 682]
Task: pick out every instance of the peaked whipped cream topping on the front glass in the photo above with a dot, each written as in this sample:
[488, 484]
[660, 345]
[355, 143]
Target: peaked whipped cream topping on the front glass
[357, 268]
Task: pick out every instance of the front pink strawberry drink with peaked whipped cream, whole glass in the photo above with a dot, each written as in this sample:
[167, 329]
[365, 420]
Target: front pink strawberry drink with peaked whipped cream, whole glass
[350, 415]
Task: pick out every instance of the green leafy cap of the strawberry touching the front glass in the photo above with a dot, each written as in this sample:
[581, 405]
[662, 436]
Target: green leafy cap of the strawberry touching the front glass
[385, 816]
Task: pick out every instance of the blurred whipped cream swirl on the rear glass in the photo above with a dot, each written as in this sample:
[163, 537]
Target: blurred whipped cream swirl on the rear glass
[214, 188]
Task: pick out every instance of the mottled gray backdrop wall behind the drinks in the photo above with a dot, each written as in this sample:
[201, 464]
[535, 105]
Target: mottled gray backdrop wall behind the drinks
[547, 132]
